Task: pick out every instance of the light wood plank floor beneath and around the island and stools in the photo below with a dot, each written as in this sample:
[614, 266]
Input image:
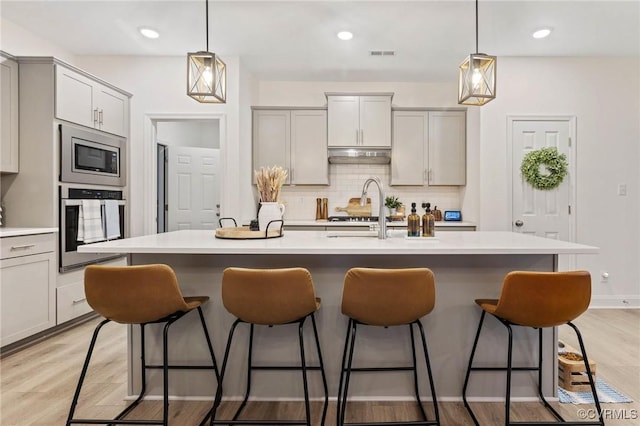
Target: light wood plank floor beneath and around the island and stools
[37, 383]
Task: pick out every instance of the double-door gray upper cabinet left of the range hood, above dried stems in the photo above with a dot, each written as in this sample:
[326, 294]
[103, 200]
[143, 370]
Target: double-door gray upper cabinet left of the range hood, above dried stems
[295, 139]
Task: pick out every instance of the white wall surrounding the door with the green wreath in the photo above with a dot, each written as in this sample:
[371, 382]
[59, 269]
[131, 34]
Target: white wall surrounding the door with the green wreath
[603, 94]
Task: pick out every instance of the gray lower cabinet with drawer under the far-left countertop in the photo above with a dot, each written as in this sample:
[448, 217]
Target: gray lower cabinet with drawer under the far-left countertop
[27, 284]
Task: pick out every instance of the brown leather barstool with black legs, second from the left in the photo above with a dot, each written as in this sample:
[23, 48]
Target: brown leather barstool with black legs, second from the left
[270, 297]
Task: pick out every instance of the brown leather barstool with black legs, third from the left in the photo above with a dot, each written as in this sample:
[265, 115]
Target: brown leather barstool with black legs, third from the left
[385, 298]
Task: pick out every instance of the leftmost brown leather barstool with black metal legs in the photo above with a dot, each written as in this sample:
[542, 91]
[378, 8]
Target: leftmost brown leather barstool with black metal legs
[146, 294]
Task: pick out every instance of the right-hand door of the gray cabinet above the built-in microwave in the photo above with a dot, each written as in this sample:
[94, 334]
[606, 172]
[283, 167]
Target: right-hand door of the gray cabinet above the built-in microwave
[112, 109]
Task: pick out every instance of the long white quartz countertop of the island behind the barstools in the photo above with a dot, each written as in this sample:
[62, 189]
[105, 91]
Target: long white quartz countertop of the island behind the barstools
[318, 242]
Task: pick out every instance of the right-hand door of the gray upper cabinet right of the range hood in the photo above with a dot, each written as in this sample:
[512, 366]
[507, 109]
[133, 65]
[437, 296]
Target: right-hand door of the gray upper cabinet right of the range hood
[447, 148]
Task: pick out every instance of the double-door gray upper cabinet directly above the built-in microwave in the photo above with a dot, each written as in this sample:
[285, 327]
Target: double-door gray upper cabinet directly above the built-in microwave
[85, 101]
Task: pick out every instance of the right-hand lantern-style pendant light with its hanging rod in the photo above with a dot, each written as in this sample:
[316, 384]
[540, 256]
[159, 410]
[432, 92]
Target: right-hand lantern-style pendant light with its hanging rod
[477, 76]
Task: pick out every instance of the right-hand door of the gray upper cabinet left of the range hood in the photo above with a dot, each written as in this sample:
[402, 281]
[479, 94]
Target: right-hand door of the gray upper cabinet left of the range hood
[309, 164]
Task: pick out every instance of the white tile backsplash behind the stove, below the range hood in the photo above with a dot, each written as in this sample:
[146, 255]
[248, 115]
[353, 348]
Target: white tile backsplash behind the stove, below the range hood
[346, 181]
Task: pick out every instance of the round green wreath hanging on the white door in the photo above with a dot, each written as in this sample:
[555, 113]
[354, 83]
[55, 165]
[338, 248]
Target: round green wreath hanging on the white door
[554, 163]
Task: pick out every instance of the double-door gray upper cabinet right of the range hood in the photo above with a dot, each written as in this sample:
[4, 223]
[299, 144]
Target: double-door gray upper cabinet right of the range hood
[429, 147]
